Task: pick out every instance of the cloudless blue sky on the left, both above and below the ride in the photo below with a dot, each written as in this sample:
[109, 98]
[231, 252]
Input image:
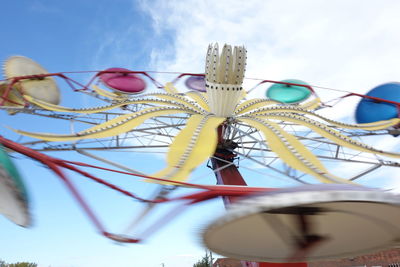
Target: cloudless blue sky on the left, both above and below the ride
[69, 36]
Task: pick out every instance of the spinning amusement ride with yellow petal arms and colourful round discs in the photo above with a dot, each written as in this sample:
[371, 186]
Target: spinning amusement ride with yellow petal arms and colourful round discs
[211, 117]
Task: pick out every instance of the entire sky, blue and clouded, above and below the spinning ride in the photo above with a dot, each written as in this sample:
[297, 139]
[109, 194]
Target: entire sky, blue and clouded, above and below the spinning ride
[346, 44]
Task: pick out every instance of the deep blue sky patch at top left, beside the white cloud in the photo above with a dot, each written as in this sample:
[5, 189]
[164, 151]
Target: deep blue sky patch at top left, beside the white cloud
[116, 32]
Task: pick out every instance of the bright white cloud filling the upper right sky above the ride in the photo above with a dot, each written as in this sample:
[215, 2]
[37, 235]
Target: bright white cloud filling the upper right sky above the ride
[347, 44]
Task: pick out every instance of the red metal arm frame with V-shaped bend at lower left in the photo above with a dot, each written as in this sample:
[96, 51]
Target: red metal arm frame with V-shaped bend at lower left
[55, 165]
